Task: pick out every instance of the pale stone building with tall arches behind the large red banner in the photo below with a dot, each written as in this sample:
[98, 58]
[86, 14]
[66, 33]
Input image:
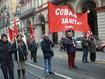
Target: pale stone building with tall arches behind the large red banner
[35, 12]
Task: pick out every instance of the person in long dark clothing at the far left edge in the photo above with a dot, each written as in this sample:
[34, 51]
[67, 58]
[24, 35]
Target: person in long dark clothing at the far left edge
[6, 60]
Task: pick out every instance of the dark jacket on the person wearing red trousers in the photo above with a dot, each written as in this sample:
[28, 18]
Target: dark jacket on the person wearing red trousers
[69, 45]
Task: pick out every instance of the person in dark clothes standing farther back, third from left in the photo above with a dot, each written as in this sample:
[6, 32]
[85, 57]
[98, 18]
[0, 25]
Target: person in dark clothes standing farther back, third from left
[32, 47]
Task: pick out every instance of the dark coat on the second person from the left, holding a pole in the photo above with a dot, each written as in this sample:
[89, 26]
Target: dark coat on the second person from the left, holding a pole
[22, 51]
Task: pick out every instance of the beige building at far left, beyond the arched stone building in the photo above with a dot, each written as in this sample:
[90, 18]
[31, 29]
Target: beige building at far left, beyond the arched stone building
[7, 10]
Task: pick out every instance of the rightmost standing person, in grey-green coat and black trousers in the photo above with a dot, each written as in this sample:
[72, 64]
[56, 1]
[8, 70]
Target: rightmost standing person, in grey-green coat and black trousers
[92, 48]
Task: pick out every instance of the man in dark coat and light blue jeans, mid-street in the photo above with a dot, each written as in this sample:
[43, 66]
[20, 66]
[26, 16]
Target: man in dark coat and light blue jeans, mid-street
[46, 46]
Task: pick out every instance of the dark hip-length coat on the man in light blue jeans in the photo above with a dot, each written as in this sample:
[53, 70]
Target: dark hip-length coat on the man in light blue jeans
[46, 46]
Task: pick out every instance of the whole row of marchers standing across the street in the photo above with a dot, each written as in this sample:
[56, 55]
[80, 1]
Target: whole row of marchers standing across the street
[20, 50]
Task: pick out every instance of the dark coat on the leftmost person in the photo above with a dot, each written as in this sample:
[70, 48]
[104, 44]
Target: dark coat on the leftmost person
[5, 52]
